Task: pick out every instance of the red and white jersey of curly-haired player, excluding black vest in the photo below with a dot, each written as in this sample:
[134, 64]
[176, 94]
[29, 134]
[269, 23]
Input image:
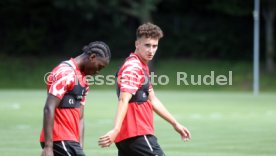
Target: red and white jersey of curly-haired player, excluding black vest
[139, 117]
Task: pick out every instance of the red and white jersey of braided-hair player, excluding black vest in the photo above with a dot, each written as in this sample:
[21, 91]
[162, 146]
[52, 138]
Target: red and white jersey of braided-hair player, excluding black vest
[62, 79]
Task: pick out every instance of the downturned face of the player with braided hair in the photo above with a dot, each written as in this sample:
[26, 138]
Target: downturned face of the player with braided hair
[95, 64]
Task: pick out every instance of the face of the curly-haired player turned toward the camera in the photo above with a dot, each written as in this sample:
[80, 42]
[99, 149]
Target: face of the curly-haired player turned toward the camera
[146, 48]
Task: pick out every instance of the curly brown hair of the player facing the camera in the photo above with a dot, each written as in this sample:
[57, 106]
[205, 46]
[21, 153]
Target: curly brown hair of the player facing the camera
[149, 30]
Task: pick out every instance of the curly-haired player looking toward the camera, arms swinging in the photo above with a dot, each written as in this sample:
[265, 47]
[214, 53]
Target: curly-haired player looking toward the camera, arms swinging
[133, 130]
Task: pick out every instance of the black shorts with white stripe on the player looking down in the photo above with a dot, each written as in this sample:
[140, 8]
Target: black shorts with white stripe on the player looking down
[66, 148]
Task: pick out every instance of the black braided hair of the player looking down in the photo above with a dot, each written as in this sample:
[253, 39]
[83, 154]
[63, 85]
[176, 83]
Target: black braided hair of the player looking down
[99, 48]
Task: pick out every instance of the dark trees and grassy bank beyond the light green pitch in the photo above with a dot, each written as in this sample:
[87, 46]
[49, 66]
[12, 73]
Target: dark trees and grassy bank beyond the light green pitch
[200, 36]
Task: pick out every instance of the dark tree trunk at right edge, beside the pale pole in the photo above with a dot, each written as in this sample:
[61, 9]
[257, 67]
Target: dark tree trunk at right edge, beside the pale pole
[269, 11]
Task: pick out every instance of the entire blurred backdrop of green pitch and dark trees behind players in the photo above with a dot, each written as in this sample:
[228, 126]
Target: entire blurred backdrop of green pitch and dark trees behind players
[200, 36]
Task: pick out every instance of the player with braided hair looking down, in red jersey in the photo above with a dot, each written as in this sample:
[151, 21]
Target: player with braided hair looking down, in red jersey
[63, 118]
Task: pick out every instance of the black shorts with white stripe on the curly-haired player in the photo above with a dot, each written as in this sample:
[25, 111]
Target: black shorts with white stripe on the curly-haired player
[145, 145]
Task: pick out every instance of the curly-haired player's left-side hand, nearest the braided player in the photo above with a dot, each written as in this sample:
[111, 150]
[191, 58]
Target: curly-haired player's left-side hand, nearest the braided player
[107, 139]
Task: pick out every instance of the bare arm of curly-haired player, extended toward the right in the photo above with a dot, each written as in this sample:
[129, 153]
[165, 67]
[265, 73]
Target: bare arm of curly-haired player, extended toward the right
[161, 110]
